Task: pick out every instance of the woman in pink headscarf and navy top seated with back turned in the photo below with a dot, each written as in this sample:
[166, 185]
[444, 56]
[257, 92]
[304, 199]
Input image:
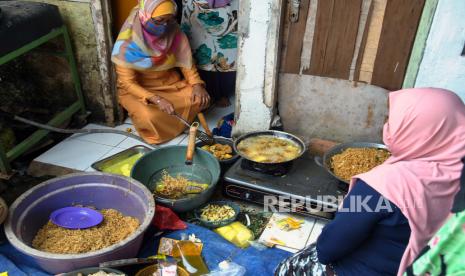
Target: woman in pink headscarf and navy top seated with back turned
[391, 212]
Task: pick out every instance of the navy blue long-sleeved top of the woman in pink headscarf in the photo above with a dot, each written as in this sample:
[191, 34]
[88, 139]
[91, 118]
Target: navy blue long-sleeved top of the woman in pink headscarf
[359, 242]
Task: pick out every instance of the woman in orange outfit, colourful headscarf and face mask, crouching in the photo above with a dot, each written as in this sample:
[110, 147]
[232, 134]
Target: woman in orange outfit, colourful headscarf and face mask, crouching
[148, 53]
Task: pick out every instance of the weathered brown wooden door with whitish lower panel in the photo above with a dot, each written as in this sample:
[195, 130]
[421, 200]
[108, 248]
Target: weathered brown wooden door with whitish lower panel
[334, 47]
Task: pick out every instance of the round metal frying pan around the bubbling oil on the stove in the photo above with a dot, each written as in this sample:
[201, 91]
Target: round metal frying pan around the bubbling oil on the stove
[274, 133]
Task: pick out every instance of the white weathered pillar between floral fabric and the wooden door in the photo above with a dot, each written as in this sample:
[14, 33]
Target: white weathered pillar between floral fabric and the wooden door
[257, 64]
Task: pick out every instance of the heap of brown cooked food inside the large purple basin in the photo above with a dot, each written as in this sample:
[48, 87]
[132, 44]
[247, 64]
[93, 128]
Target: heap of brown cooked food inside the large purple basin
[114, 228]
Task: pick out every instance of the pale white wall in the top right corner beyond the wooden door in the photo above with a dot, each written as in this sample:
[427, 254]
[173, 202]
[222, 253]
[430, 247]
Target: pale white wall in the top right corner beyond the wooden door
[442, 65]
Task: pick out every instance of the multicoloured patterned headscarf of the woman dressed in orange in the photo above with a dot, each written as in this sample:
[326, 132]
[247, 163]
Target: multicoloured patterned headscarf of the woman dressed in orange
[139, 49]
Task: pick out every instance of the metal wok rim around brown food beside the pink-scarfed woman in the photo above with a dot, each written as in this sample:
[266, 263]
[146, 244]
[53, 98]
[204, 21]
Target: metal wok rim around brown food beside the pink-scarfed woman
[325, 161]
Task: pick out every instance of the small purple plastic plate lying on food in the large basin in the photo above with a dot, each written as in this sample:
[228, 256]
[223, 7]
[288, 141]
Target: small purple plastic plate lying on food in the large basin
[76, 217]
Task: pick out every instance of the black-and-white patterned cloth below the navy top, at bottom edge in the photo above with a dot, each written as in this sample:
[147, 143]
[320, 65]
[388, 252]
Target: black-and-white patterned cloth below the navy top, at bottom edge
[303, 263]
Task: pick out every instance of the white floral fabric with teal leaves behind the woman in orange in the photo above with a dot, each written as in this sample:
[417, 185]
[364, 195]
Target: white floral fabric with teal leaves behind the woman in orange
[212, 33]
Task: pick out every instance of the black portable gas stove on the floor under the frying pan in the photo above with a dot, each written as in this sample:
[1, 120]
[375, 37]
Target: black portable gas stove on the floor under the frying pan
[302, 185]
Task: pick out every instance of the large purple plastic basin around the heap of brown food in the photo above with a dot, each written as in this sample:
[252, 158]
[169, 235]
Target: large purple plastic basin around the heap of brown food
[103, 191]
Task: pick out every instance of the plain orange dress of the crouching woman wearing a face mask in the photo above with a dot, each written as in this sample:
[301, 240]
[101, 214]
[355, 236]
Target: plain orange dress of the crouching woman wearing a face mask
[152, 124]
